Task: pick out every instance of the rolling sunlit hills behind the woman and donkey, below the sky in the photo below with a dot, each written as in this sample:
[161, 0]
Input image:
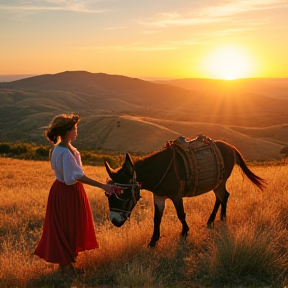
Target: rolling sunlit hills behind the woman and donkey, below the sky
[126, 114]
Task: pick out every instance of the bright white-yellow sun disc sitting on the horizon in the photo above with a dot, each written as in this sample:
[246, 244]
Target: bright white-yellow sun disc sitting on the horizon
[228, 62]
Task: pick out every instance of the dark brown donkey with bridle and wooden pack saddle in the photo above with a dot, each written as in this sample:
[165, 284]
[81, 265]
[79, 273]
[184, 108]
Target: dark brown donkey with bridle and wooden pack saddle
[174, 173]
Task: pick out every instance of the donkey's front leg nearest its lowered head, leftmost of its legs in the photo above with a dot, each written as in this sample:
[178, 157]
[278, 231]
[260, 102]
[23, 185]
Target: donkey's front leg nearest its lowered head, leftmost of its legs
[159, 205]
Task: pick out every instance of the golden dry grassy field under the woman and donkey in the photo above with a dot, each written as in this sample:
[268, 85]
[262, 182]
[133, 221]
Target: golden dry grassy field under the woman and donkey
[250, 250]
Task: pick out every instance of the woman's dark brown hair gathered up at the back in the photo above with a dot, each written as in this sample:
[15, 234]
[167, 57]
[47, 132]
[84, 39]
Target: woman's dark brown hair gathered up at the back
[59, 126]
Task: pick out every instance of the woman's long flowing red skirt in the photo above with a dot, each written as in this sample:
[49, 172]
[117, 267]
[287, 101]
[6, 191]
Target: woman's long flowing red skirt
[68, 225]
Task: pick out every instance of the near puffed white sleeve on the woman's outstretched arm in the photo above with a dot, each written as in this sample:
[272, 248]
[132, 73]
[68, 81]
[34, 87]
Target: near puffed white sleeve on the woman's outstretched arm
[71, 169]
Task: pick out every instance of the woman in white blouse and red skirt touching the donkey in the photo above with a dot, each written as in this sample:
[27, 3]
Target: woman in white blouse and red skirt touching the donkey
[68, 226]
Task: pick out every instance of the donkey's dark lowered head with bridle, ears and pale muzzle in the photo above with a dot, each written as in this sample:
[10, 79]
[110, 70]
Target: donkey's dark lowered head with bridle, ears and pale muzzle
[122, 204]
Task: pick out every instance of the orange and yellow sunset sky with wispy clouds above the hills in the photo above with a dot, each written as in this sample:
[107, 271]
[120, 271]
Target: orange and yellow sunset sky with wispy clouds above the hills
[153, 38]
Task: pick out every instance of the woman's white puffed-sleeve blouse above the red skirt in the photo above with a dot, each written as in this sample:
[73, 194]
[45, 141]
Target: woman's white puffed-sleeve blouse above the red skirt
[67, 167]
